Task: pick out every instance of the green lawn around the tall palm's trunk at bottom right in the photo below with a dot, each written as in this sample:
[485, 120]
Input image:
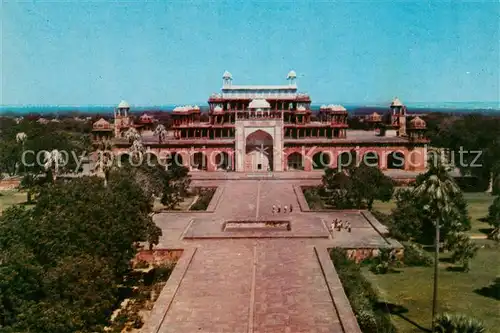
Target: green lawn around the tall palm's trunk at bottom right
[411, 288]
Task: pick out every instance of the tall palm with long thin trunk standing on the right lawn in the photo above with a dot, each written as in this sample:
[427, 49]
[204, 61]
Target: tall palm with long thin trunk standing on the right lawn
[439, 187]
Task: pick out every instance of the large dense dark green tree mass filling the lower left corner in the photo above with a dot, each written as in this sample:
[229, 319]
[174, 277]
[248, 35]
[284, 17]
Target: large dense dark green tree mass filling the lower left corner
[62, 260]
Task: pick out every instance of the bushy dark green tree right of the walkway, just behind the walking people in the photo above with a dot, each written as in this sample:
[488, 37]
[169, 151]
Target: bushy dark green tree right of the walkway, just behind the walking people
[357, 187]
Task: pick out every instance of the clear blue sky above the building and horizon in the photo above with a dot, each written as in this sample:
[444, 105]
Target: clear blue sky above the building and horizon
[175, 52]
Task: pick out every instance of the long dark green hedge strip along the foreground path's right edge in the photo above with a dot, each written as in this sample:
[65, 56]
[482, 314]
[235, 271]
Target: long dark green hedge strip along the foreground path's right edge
[362, 297]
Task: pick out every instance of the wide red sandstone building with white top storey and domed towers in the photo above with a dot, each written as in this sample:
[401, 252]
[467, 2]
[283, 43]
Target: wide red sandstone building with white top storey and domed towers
[271, 128]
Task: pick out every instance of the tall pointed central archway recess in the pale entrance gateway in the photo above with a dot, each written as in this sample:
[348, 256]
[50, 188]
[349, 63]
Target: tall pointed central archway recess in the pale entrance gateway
[259, 151]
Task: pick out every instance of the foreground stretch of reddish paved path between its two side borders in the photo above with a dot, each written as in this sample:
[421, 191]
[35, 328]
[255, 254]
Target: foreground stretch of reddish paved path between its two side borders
[254, 287]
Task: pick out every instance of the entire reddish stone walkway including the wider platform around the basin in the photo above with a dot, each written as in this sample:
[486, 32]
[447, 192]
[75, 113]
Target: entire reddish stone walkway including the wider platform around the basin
[260, 281]
